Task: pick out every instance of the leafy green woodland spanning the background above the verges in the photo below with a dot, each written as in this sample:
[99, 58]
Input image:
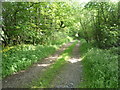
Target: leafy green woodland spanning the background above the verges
[46, 23]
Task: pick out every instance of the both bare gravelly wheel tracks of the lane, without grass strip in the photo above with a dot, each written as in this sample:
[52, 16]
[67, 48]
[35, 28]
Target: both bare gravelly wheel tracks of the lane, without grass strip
[69, 77]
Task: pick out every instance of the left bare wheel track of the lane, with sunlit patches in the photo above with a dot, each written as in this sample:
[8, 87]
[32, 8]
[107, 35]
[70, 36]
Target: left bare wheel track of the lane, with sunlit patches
[22, 78]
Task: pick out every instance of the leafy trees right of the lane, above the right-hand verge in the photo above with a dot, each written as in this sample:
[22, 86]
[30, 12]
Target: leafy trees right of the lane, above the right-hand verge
[99, 23]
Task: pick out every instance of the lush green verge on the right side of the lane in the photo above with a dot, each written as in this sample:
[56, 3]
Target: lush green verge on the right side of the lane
[100, 67]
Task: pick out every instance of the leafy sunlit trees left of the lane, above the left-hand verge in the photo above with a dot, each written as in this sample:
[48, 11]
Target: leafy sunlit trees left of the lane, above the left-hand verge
[35, 23]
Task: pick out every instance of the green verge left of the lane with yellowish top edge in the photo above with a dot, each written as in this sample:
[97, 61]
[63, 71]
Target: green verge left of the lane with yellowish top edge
[21, 57]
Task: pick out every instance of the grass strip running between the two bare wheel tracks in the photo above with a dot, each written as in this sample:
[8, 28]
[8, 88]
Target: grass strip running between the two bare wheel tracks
[53, 70]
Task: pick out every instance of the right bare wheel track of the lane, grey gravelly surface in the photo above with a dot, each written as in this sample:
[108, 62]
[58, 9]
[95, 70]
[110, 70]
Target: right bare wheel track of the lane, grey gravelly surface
[71, 75]
